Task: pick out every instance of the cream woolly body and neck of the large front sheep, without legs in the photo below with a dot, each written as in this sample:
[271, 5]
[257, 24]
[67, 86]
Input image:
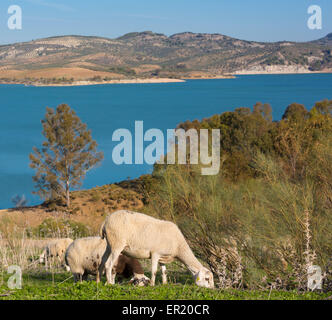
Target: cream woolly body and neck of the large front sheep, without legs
[141, 236]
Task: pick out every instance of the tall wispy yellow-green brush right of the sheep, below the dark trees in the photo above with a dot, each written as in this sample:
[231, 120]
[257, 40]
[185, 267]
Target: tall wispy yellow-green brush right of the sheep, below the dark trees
[265, 231]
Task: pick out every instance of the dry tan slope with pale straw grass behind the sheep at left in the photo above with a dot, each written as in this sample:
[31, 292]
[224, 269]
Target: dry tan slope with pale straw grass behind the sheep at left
[89, 209]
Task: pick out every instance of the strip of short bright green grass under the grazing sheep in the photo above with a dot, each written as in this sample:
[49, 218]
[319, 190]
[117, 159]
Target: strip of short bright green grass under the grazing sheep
[45, 286]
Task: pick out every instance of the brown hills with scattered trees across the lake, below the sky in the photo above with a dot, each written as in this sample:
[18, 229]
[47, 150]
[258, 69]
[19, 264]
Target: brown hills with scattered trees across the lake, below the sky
[152, 55]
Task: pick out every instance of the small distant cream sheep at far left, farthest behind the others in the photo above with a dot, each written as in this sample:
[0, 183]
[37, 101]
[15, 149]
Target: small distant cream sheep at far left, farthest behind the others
[56, 248]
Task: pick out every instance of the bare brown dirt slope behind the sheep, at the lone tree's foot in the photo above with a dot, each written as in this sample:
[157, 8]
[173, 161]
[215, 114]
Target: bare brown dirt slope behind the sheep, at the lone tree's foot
[89, 207]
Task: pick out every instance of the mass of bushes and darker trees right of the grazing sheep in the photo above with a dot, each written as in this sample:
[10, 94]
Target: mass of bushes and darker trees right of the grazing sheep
[266, 218]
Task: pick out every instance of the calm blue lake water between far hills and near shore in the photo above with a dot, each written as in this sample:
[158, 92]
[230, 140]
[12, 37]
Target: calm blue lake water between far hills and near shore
[106, 108]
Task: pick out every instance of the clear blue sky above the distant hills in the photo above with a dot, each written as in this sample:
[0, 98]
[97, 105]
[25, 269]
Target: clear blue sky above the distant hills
[260, 20]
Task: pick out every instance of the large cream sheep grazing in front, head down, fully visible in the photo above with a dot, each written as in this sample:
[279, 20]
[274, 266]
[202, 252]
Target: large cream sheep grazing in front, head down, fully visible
[143, 237]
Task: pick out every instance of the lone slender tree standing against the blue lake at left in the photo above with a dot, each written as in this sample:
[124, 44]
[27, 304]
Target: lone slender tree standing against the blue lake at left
[65, 157]
